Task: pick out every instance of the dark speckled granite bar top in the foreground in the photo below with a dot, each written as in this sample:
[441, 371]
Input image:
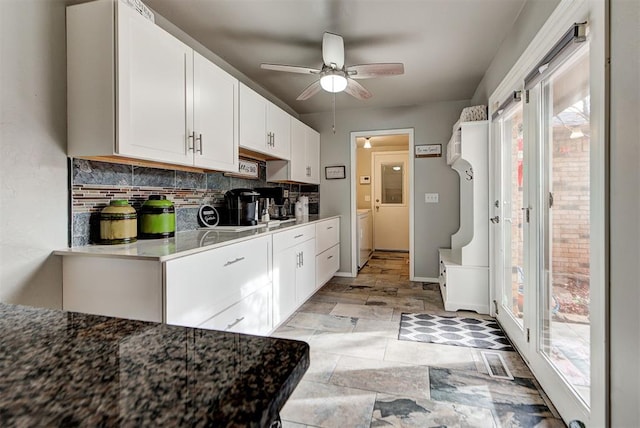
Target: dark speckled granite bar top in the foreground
[62, 368]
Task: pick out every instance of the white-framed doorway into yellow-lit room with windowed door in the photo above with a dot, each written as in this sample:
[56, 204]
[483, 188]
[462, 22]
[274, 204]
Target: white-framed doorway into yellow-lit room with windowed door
[382, 185]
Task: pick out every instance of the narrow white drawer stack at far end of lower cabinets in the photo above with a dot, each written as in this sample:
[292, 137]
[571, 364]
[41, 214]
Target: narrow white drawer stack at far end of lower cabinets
[327, 250]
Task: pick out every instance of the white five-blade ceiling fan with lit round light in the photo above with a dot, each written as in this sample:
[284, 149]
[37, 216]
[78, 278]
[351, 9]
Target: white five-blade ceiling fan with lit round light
[334, 75]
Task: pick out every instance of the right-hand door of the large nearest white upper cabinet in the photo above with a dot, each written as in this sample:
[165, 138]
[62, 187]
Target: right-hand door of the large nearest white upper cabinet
[215, 117]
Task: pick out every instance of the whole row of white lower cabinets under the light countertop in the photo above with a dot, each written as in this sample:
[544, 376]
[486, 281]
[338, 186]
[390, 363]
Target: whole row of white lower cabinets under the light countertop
[246, 287]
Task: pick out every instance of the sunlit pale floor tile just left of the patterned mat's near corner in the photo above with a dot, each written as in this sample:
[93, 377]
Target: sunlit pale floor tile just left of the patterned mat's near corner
[348, 344]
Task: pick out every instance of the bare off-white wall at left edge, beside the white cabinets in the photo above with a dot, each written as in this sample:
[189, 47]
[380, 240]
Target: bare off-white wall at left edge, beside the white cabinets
[33, 163]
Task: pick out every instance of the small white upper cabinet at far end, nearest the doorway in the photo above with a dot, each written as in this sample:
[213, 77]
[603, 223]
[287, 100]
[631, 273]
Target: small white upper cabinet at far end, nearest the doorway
[304, 166]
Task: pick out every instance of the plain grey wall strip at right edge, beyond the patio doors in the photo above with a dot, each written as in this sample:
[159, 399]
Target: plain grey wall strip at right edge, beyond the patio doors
[624, 305]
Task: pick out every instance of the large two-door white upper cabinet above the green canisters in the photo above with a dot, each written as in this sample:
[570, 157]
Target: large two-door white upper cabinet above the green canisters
[136, 91]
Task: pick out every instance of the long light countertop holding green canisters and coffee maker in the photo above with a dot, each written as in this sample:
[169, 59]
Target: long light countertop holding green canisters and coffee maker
[183, 244]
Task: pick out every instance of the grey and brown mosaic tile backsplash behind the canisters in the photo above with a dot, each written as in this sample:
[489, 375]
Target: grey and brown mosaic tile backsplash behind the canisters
[94, 184]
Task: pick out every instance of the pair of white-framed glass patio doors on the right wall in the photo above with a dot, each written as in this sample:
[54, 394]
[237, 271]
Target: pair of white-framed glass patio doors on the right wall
[543, 226]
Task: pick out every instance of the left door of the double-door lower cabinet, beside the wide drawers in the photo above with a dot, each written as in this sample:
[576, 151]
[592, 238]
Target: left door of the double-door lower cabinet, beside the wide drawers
[284, 284]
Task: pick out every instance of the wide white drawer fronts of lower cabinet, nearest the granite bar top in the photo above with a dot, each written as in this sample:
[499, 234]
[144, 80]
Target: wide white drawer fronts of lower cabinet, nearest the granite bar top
[202, 286]
